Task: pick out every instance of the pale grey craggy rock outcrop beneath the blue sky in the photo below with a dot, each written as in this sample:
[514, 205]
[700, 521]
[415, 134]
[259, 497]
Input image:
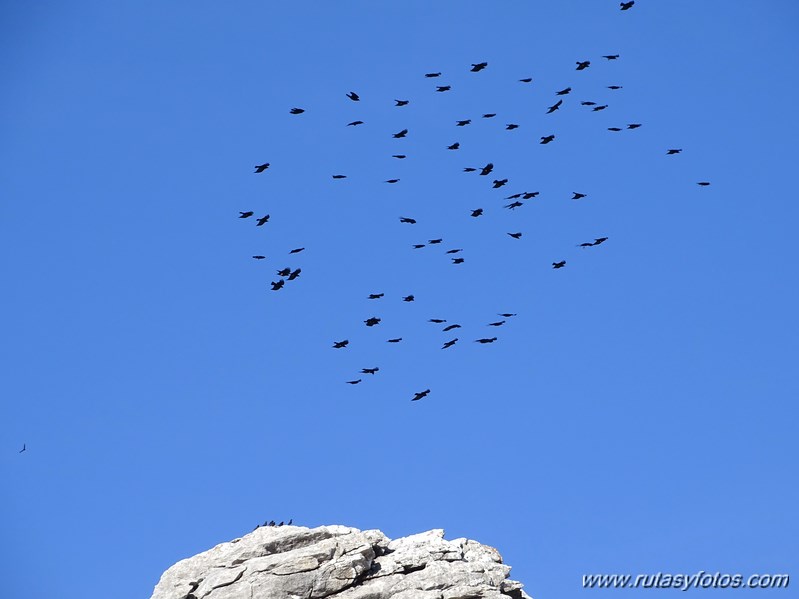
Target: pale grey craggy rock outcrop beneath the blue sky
[338, 562]
